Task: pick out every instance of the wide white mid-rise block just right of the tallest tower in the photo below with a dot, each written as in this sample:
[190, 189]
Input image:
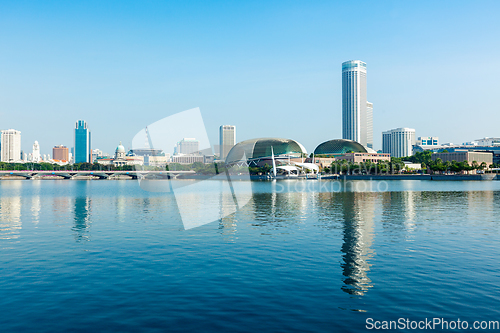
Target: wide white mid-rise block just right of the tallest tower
[398, 142]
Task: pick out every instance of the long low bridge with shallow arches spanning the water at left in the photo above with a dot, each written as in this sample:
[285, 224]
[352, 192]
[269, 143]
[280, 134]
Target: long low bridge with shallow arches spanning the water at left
[100, 174]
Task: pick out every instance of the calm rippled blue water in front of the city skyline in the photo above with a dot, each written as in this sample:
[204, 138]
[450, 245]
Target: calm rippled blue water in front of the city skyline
[109, 256]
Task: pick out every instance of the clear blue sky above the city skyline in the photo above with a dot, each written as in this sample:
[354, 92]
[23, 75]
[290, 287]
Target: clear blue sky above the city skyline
[273, 69]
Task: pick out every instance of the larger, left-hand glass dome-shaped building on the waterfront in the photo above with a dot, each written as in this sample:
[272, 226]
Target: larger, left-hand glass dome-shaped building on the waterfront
[258, 152]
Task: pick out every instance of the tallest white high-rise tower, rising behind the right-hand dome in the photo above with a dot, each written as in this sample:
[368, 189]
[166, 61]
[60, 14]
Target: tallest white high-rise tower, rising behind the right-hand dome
[357, 113]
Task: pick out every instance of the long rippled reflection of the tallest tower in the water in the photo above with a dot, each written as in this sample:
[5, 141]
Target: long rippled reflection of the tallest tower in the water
[358, 214]
